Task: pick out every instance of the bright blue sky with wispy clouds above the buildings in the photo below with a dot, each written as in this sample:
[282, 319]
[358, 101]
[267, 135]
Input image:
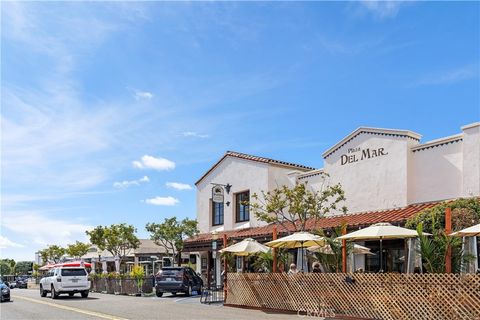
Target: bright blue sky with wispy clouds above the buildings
[104, 104]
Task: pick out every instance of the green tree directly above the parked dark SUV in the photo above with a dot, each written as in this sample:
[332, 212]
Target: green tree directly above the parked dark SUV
[172, 233]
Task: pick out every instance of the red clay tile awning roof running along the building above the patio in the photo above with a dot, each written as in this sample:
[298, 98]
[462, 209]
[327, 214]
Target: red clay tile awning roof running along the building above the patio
[397, 215]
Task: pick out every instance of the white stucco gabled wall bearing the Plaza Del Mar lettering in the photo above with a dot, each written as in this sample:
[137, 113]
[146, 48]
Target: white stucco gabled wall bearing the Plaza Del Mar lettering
[373, 183]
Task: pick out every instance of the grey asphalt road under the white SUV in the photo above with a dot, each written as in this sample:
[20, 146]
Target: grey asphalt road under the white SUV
[27, 304]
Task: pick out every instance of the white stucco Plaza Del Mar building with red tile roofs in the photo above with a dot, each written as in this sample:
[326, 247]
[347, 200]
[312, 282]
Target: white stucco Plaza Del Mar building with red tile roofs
[388, 175]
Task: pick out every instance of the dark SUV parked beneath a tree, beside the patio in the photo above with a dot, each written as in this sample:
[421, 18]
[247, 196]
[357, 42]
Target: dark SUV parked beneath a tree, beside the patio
[177, 279]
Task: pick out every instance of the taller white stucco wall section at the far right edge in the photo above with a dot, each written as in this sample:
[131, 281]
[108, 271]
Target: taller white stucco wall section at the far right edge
[471, 160]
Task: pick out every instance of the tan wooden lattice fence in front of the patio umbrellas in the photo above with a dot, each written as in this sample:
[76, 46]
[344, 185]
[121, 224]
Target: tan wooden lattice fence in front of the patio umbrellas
[371, 296]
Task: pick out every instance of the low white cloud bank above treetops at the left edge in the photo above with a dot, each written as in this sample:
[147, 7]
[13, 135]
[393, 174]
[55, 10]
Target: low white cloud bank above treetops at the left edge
[41, 230]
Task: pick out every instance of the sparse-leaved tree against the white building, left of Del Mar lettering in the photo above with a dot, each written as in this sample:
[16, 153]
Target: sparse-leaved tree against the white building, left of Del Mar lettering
[292, 207]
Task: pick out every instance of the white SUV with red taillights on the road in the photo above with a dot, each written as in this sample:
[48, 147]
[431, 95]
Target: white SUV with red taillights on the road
[65, 280]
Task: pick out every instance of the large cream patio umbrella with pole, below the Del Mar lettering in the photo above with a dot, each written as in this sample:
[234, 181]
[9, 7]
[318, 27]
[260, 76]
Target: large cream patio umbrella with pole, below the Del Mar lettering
[381, 231]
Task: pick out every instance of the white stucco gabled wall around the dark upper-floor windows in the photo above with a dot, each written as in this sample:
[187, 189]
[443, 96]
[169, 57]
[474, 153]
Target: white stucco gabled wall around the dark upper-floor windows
[242, 175]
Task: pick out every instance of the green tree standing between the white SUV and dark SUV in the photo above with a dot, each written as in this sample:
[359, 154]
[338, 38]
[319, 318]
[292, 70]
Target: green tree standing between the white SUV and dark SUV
[118, 239]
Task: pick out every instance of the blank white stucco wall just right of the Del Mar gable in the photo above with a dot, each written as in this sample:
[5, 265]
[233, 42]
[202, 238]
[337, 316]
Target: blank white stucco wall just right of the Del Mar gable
[437, 173]
